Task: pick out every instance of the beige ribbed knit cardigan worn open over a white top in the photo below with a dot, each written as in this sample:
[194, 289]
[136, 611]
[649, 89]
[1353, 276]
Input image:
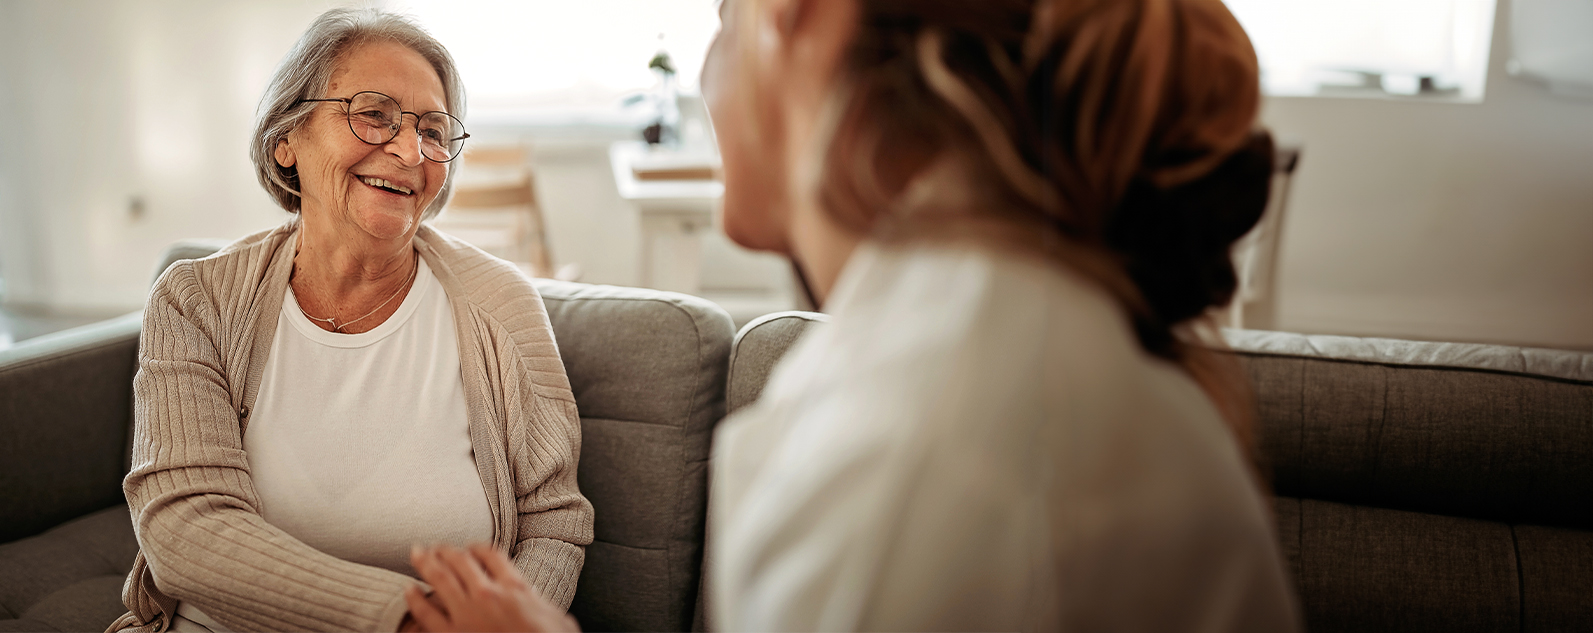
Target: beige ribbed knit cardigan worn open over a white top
[208, 332]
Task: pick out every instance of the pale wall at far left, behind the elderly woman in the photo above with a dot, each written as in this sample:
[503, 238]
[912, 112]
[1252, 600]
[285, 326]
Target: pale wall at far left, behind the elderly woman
[117, 101]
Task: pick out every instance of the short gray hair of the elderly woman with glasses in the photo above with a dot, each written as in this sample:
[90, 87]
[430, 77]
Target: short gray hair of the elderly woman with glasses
[305, 74]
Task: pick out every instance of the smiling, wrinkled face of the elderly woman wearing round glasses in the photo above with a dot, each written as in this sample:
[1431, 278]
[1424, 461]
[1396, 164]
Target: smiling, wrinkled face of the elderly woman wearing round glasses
[342, 176]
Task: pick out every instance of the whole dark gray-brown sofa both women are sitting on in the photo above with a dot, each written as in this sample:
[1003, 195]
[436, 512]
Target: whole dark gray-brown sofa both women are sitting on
[1420, 487]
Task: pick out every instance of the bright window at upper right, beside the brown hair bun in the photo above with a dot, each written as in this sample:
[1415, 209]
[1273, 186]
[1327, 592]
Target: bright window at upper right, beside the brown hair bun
[1406, 49]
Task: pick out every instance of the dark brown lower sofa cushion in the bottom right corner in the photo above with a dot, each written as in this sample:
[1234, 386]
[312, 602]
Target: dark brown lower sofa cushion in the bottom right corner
[1377, 570]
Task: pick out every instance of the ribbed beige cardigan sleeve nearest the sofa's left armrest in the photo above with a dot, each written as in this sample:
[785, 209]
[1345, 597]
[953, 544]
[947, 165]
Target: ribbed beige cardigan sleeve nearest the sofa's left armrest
[194, 505]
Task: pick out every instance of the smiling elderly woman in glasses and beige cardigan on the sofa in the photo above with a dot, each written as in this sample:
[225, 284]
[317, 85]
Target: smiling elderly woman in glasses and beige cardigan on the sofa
[318, 399]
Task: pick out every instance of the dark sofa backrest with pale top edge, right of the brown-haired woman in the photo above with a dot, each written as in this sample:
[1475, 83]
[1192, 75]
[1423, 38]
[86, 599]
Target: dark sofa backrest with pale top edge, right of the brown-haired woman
[1476, 431]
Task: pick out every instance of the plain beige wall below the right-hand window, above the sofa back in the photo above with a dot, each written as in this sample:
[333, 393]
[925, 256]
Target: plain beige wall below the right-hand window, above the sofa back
[1442, 221]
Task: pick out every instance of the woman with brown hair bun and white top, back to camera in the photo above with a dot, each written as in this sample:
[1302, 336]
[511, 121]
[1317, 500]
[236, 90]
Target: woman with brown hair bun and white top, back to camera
[1016, 213]
